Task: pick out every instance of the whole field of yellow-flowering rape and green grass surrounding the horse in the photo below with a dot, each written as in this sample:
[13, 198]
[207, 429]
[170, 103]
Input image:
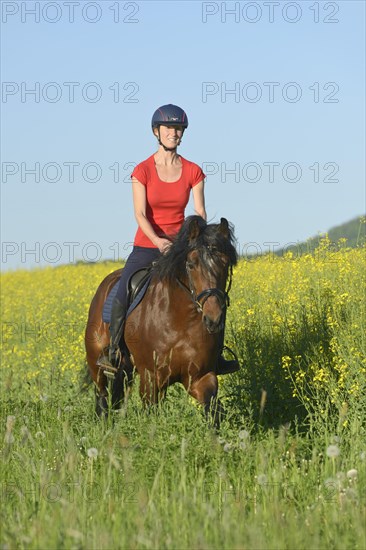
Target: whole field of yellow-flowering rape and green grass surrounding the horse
[286, 470]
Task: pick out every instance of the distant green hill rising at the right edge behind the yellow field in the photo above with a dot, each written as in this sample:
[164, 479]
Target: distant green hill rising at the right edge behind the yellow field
[354, 231]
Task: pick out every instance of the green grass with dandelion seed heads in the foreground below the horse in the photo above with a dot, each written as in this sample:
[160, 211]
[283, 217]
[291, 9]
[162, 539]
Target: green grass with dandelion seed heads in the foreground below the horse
[163, 479]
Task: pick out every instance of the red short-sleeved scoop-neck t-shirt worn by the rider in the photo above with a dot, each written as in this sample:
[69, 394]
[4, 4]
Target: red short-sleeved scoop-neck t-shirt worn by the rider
[165, 202]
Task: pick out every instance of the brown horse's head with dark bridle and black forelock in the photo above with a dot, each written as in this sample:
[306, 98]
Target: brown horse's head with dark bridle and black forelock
[211, 255]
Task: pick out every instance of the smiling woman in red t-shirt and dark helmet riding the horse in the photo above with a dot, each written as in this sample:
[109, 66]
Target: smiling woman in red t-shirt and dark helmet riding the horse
[161, 188]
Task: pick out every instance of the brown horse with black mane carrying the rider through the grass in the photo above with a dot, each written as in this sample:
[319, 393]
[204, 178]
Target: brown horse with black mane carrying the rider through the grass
[175, 334]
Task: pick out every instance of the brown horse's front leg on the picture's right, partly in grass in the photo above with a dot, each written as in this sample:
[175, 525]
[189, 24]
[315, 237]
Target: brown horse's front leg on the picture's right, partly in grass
[205, 391]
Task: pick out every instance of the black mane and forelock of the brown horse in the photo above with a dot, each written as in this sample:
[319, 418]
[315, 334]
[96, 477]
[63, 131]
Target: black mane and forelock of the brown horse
[195, 234]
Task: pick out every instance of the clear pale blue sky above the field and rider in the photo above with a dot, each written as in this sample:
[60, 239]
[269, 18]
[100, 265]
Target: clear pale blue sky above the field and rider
[274, 93]
